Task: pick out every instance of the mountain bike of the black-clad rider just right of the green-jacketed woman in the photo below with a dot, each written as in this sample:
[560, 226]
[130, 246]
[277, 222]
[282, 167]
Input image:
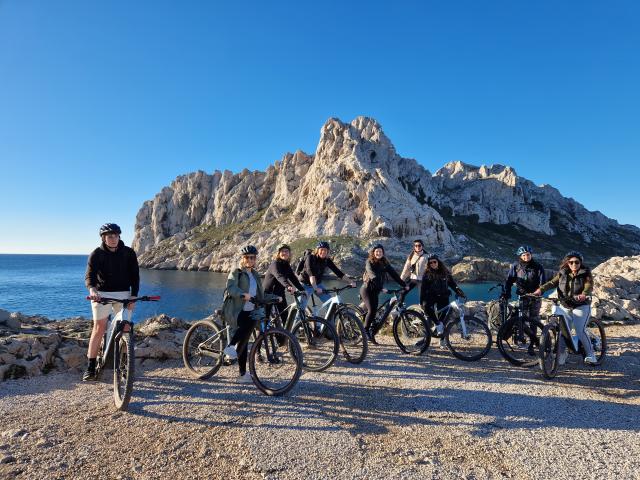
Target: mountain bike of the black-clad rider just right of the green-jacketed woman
[317, 336]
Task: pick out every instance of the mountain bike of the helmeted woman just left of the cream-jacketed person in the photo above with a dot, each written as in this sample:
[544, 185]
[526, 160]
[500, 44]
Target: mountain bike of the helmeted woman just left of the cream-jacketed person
[410, 329]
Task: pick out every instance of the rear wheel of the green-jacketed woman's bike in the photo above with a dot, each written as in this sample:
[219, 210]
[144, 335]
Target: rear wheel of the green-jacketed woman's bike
[202, 360]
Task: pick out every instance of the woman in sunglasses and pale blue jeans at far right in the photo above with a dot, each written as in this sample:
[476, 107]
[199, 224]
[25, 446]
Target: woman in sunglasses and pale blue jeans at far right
[574, 283]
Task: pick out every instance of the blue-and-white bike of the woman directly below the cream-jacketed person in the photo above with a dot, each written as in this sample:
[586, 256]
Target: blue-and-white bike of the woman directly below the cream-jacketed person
[467, 337]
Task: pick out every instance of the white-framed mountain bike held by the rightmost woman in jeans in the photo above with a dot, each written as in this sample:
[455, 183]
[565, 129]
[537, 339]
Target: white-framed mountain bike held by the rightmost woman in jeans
[559, 330]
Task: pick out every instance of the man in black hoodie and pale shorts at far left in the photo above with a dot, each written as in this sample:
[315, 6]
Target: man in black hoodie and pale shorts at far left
[113, 272]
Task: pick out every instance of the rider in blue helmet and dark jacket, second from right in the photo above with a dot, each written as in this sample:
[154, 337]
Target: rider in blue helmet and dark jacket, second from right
[528, 275]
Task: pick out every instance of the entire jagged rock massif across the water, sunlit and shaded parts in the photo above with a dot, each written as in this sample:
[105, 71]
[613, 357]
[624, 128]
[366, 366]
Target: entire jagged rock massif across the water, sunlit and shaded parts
[355, 190]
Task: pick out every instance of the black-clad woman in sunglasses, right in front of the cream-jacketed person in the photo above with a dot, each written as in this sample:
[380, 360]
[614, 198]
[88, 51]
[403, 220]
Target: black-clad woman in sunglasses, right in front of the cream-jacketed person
[434, 292]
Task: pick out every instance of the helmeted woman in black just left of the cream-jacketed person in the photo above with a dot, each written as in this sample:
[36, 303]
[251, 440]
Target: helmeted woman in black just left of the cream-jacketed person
[376, 269]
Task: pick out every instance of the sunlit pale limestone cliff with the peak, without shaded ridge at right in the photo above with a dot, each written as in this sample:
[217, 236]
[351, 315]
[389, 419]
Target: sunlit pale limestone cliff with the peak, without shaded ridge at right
[348, 192]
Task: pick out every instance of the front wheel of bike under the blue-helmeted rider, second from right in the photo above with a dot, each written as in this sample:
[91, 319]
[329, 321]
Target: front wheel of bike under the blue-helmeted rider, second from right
[517, 343]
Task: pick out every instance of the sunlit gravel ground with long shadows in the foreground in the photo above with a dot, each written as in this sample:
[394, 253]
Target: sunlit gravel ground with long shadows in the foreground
[393, 416]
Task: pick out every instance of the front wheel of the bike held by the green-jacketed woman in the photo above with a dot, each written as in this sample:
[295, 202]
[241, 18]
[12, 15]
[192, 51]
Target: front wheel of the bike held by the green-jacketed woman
[278, 371]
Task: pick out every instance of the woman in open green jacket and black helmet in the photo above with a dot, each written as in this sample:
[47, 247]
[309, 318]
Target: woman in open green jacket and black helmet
[243, 284]
